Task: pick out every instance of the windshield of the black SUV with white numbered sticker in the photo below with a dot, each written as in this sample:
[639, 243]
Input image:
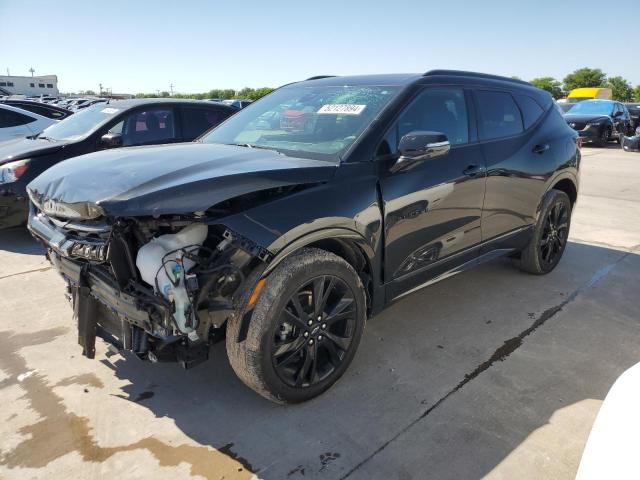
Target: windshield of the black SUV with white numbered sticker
[319, 122]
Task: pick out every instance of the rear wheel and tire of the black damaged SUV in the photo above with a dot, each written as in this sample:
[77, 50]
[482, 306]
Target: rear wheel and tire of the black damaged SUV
[548, 237]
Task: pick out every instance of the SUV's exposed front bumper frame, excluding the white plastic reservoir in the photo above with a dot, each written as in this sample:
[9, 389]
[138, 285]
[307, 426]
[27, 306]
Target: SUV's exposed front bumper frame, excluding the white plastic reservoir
[130, 315]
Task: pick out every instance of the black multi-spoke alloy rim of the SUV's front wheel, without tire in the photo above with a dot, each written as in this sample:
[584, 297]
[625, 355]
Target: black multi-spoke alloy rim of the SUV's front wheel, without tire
[318, 324]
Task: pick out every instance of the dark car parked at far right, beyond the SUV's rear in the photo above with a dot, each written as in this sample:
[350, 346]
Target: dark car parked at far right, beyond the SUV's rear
[599, 121]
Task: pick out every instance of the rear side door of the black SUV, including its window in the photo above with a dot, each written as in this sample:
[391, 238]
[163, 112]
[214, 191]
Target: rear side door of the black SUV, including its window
[517, 153]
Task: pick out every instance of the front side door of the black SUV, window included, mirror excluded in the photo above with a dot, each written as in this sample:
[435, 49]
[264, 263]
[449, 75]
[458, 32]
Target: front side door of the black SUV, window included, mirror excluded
[432, 212]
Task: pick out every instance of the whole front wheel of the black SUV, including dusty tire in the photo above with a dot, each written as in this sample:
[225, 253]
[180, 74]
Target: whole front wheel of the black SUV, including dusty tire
[276, 325]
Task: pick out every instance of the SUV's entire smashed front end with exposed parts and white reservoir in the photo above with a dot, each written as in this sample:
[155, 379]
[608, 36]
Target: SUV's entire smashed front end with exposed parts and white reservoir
[162, 288]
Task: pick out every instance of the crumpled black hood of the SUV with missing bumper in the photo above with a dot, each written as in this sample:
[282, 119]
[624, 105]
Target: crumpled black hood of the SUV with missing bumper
[171, 179]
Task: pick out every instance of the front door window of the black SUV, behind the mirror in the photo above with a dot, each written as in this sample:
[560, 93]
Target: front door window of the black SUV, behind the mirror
[441, 109]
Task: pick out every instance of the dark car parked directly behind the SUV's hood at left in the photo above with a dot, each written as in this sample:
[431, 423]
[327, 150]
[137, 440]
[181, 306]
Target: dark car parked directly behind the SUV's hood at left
[119, 123]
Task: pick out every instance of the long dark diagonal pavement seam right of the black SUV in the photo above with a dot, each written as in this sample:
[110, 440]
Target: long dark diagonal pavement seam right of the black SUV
[506, 349]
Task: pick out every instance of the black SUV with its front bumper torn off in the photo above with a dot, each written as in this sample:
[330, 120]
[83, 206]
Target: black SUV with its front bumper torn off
[303, 215]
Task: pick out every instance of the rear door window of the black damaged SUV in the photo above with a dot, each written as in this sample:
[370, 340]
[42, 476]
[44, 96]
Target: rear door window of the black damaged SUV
[499, 115]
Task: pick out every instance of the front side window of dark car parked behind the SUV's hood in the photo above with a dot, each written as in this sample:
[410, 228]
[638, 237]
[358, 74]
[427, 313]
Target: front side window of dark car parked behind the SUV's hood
[151, 126]
